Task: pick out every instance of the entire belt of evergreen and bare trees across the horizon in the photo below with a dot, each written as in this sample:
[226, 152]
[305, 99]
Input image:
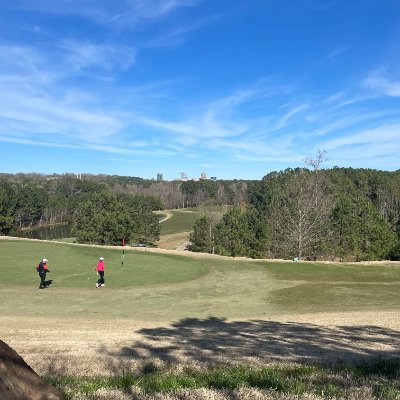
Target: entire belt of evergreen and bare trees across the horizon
[342, 214]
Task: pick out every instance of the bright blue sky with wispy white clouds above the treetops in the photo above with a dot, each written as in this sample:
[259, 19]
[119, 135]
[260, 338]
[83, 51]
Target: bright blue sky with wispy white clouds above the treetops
[233, 88]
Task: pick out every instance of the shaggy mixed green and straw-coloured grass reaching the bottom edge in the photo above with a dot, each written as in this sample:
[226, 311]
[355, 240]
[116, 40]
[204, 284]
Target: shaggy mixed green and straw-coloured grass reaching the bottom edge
[376, 380]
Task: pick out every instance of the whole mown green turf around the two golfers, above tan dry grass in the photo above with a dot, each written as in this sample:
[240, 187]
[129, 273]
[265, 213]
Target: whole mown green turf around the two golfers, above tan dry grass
[161, 287]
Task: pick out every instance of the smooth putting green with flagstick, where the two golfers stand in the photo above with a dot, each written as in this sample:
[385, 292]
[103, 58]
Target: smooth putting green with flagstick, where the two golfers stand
[73, 266]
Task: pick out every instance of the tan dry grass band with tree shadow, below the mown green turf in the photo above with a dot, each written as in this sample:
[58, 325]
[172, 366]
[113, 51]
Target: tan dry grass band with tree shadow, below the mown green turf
[89, 347]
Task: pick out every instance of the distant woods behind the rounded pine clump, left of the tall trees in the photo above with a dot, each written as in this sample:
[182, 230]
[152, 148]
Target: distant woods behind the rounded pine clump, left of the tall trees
[30, 200]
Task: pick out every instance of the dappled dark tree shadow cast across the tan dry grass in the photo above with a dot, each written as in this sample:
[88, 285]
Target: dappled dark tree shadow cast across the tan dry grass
[215, 341]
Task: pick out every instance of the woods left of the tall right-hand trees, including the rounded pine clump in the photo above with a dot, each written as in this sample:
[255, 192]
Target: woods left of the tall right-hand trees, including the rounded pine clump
[34, 200]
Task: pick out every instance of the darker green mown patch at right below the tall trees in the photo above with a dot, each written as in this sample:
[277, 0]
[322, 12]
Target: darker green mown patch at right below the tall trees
[331, 288]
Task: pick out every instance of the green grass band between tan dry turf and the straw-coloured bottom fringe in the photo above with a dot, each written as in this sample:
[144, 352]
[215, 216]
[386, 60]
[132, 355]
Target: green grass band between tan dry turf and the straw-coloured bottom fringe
[325, 382]
